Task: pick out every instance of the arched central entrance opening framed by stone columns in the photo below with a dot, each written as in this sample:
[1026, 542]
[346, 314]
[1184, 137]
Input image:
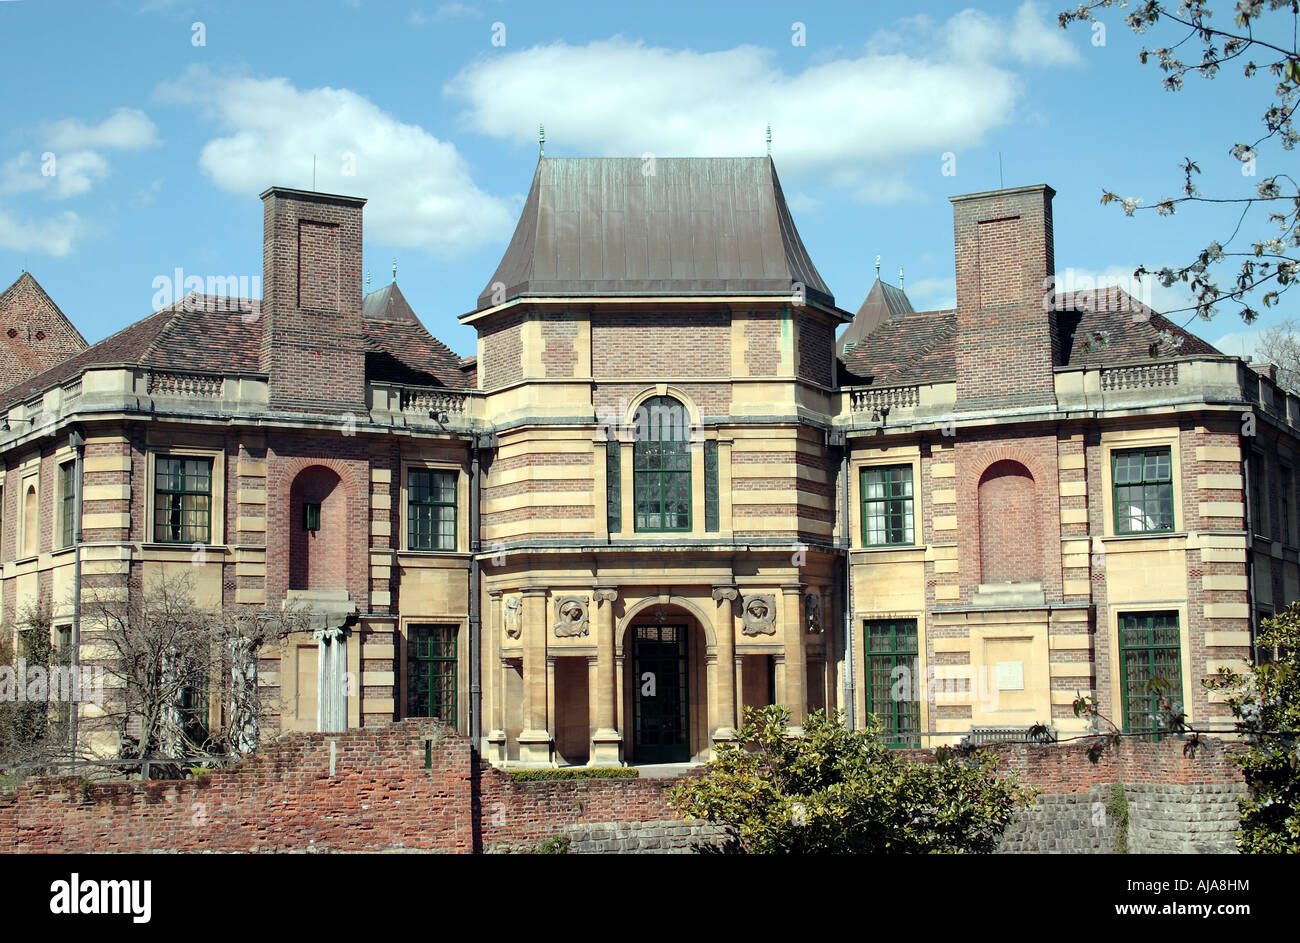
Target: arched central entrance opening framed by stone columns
[665, 704]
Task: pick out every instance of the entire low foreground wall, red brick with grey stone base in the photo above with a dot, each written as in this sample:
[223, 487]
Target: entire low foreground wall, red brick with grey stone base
[410, 786]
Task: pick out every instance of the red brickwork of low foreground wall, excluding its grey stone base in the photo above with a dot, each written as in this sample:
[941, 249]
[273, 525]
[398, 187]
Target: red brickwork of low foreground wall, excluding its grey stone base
[382, 797]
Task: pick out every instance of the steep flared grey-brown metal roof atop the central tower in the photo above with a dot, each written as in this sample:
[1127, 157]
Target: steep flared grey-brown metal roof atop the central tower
[603, 227]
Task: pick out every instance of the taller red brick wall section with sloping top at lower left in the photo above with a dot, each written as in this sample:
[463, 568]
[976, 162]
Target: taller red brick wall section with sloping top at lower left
[379, 798]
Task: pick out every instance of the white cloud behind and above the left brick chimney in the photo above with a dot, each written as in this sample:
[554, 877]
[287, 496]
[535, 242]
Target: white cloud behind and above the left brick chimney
[419, 188]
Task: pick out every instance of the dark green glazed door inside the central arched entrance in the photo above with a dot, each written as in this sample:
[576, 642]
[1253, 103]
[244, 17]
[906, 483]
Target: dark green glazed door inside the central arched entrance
[660, 704]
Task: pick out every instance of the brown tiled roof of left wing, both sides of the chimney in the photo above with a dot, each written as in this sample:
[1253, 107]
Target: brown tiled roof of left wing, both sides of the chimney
[218, 335]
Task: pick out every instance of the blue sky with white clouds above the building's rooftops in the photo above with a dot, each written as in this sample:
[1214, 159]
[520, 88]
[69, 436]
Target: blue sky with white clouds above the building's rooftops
[162, 145]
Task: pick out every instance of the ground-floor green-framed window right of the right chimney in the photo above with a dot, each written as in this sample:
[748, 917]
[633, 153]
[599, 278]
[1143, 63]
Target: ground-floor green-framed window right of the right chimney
[1151, 668]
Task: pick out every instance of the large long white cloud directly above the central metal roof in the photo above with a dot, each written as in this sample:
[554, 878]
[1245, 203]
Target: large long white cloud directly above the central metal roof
[856, 122]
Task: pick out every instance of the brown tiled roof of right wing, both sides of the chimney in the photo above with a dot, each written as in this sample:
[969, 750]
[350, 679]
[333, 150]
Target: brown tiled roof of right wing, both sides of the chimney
[1108, 326]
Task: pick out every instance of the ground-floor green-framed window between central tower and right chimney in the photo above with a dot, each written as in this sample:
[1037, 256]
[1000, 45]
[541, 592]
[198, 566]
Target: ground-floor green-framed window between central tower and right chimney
[894, 686]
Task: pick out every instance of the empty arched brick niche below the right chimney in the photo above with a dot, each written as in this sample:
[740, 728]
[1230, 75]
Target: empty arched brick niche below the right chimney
[1009, 530]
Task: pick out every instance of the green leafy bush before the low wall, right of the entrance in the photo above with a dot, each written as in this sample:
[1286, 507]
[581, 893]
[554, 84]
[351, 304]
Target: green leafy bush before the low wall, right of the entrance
[840, 791]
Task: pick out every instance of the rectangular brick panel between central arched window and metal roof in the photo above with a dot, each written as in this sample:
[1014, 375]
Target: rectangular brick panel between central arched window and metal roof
[670, 344]
